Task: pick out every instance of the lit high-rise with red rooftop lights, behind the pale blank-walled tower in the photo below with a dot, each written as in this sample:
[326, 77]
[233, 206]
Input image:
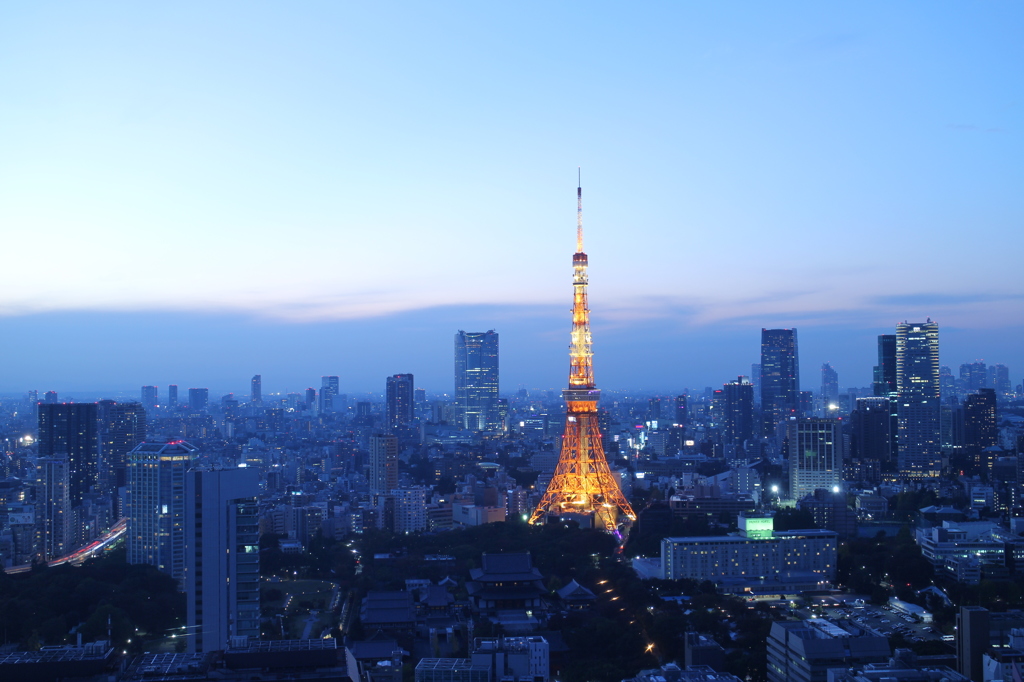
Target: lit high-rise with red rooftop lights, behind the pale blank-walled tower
[156, 505]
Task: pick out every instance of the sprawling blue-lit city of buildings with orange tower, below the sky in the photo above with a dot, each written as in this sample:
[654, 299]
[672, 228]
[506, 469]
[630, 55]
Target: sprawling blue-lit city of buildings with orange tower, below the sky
[753, 492]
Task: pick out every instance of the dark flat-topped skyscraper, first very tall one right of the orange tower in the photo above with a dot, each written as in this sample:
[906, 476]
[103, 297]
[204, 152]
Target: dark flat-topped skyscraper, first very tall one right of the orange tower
[780, 377]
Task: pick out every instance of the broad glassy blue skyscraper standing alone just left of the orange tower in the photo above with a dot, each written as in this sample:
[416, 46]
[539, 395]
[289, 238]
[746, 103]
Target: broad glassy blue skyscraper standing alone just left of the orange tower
[477, 380]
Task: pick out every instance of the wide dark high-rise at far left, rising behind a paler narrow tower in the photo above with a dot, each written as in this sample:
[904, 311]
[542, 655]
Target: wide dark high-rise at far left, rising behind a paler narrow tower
[68, 433]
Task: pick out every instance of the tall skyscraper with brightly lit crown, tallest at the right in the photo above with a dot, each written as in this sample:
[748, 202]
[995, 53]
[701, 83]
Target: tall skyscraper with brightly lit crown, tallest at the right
[918, 400]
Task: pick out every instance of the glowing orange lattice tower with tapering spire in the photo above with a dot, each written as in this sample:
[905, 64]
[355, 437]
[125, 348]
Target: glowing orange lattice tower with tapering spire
[583, 483]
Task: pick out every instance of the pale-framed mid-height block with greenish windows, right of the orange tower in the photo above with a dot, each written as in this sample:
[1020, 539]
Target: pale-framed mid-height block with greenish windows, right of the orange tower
[816, 456]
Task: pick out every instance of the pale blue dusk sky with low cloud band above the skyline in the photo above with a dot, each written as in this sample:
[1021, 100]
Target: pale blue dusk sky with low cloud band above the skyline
[194, 193]
